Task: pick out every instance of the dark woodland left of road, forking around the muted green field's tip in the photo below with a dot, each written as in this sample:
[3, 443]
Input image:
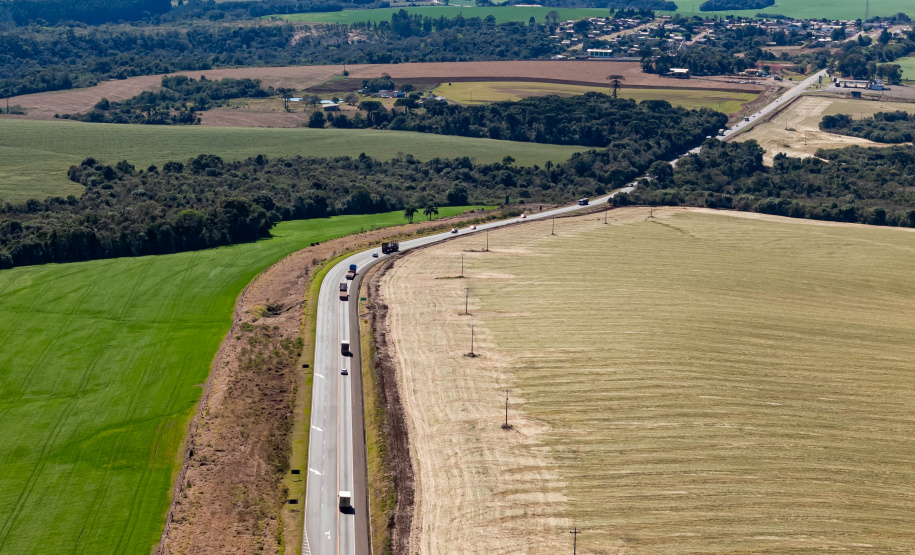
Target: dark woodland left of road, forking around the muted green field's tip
[207, 201]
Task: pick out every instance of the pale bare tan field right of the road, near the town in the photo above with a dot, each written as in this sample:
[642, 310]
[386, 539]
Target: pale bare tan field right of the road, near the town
[796, 131]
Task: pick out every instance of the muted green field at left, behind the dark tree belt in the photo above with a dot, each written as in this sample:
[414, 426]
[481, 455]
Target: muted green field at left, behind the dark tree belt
[35, 155]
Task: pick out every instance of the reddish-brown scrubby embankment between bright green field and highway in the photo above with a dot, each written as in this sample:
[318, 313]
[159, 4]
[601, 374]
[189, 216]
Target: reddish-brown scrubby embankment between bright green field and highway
[229, 496]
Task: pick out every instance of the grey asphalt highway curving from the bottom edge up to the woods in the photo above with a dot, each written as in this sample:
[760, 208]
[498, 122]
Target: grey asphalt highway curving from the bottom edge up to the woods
[336, 445]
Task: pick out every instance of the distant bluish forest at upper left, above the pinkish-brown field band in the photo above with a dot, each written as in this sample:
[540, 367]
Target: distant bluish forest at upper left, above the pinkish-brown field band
[37, 59]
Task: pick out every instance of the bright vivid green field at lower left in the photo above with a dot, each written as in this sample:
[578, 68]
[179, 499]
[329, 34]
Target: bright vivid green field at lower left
[101, 366]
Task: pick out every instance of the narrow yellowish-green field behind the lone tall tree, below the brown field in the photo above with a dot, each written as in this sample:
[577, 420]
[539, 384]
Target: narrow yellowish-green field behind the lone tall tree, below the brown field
[493, 91]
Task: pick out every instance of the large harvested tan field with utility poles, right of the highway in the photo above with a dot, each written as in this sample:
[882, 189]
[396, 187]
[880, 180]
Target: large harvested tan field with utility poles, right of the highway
[697, 382]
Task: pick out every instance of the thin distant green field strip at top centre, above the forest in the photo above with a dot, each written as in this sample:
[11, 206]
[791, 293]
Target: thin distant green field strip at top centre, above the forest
[502, 14]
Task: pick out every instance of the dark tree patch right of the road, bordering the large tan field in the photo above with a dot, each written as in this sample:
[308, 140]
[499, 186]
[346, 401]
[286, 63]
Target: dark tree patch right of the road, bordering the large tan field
[854, 184]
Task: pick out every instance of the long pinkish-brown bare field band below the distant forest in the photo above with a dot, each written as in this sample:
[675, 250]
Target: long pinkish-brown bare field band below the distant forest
[45, 105]
